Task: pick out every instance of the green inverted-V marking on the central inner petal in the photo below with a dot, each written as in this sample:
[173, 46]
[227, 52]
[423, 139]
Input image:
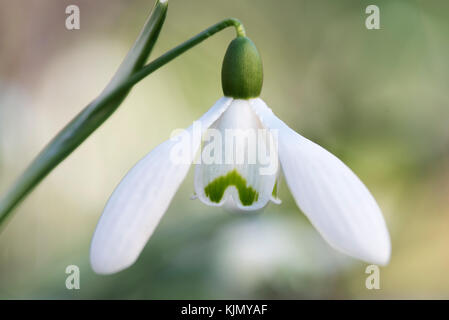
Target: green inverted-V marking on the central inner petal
[216, 188]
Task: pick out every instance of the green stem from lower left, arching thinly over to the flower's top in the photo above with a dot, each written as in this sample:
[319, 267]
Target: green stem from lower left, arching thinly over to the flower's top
[93, 116]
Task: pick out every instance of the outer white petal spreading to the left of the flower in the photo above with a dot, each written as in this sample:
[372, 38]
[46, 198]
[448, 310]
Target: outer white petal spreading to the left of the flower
[138, 203]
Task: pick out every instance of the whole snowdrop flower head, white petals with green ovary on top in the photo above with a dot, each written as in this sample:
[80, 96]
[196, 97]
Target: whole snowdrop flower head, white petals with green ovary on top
[336, 202]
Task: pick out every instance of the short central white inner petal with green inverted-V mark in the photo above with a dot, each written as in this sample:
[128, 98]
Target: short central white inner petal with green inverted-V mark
[239, 165]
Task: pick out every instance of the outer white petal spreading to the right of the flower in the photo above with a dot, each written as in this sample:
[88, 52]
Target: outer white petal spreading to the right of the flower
[337, 203]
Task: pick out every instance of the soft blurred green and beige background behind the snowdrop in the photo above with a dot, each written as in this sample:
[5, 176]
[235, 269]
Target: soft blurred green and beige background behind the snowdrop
[378, 99]
